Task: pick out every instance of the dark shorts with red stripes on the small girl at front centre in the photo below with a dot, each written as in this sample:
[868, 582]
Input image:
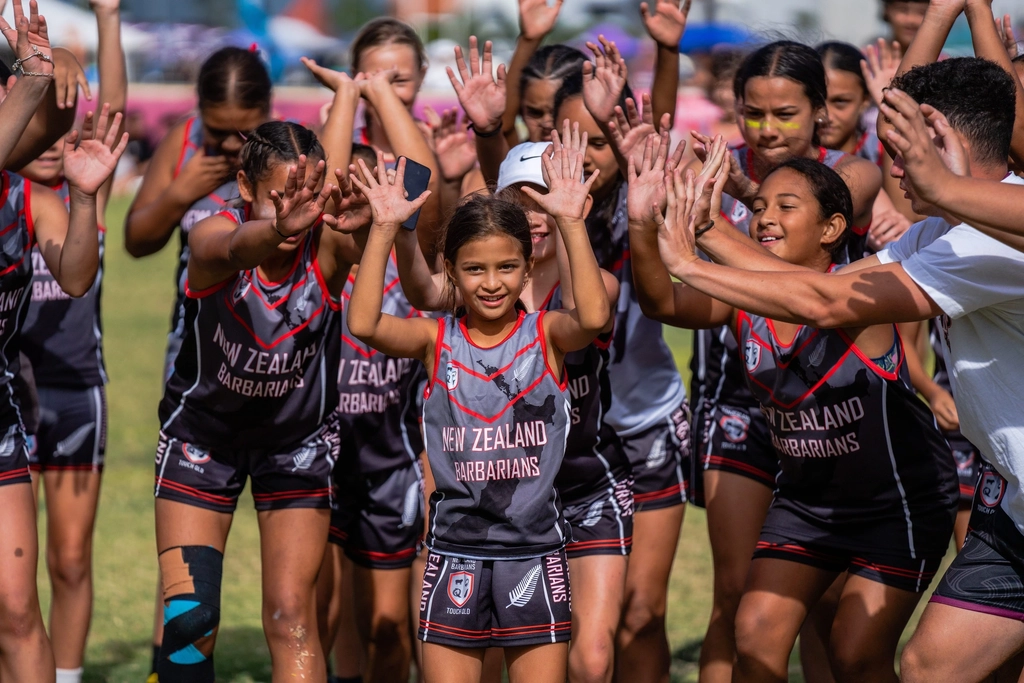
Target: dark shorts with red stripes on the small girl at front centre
[495, 604]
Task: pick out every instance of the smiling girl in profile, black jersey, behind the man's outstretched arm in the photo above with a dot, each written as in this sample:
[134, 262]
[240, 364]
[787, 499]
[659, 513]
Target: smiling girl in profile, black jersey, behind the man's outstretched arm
[868, 486]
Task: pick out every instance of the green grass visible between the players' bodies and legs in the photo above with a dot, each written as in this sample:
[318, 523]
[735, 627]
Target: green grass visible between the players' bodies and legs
[138, 298]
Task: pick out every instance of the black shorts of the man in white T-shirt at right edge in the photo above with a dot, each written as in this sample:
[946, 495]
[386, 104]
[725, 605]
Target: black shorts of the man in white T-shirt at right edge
[988, 576]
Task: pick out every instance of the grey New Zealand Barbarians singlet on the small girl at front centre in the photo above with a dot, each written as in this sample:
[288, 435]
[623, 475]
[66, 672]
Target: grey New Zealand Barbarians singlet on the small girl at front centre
[496, 421]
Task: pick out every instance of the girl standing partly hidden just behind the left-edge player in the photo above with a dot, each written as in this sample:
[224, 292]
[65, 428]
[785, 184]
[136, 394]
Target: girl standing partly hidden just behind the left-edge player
[63, 341]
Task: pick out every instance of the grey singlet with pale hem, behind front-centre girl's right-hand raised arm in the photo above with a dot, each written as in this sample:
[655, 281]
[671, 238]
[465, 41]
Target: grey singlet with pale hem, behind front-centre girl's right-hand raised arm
[646, 383]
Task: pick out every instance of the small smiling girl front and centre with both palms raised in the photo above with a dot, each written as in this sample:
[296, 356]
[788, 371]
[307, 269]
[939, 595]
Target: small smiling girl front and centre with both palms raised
[496, 419]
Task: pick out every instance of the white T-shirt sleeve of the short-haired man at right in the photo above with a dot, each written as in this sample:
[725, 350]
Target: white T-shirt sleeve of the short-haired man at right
[964, 271]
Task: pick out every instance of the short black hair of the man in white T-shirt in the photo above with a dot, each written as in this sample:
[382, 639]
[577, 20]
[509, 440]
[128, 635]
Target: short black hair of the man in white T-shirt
[976, 96]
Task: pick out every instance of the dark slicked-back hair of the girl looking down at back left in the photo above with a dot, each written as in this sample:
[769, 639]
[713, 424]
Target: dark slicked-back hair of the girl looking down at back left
[236, 76]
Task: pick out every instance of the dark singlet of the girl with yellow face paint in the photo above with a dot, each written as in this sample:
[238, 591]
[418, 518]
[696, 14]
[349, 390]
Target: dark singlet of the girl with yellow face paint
[717, 369]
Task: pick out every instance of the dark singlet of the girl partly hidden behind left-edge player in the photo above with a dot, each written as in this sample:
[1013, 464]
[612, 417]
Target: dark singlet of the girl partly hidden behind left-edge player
[63, 336]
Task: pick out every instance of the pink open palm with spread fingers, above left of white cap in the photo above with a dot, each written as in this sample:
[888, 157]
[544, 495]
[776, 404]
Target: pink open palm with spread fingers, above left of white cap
[481, 93]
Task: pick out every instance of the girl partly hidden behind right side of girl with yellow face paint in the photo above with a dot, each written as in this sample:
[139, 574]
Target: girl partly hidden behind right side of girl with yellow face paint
[849, 101]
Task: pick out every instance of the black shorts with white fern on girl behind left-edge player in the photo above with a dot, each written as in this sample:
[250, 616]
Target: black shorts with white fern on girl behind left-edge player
[72, 433]
